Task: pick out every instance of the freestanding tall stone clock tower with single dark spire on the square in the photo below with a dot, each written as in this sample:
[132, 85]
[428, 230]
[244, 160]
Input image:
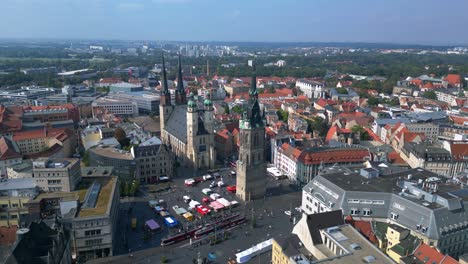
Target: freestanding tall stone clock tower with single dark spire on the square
[251, 166]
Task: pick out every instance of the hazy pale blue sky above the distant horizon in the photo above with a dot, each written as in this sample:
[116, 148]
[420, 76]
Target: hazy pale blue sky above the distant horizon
[436, 22]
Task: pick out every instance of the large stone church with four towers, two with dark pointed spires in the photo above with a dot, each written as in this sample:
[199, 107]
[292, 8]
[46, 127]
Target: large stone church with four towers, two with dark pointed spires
[187, 125]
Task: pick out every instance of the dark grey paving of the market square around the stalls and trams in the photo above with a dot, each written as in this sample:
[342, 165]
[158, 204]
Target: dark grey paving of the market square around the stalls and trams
[268, 213]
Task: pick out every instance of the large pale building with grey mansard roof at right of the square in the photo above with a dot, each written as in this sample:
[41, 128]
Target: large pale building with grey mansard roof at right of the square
[418, 200]
